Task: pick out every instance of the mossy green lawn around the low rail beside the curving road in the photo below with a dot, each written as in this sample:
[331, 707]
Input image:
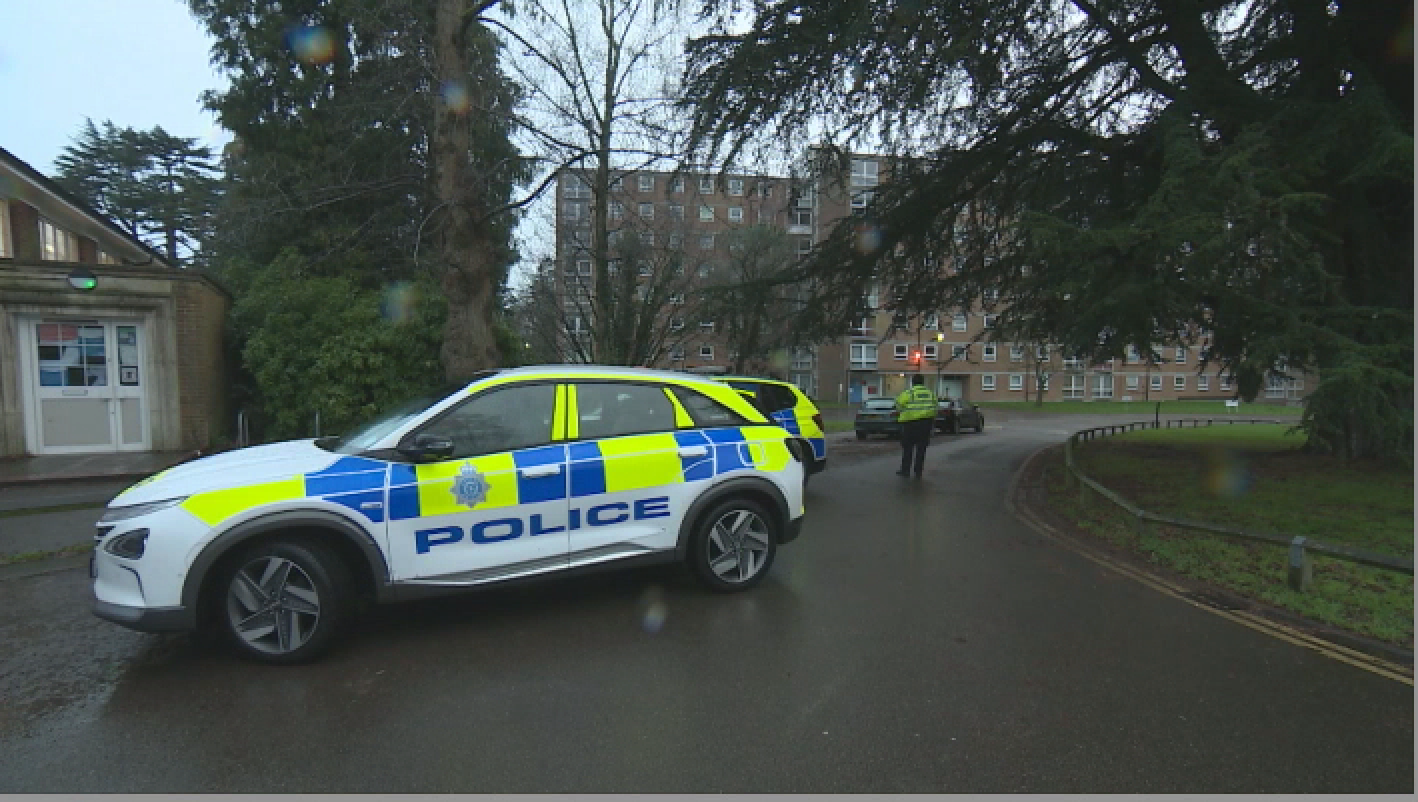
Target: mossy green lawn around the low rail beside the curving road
[1256, 478]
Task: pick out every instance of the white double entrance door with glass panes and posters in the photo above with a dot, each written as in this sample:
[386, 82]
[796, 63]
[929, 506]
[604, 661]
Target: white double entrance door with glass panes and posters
[89, 388]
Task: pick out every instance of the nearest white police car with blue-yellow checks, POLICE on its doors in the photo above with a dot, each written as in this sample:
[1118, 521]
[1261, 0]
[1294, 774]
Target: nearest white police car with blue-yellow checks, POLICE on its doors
[523, 474]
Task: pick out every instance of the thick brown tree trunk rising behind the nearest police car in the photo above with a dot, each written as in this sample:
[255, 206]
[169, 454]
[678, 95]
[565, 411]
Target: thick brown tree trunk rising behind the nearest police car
[464, 244]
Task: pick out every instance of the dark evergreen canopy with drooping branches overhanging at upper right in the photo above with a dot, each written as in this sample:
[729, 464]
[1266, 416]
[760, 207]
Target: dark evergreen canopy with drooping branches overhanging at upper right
[1234, 174]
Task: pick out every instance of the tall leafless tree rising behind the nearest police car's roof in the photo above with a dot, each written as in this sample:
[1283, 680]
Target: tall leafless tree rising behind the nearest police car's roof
[596, 113]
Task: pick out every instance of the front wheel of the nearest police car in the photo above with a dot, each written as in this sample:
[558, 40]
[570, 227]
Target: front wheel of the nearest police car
[286, 601]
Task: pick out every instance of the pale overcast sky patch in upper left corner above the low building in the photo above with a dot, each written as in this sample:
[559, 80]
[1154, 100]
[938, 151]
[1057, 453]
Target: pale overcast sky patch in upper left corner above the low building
[138, 63]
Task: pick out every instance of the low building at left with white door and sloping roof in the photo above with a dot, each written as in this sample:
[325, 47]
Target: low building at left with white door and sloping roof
[104, 346]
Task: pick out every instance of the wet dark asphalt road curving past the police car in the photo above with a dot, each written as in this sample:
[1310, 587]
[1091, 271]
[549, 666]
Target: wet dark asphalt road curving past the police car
[915, 638]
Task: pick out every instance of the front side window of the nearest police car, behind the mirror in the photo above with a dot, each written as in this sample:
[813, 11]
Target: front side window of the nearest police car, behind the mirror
[501, 420]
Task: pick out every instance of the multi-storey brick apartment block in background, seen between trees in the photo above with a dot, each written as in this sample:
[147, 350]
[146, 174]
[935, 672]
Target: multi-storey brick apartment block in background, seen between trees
[876, 358]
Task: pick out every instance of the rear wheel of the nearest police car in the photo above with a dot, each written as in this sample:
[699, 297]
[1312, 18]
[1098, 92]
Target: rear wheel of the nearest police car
[735, 546]
